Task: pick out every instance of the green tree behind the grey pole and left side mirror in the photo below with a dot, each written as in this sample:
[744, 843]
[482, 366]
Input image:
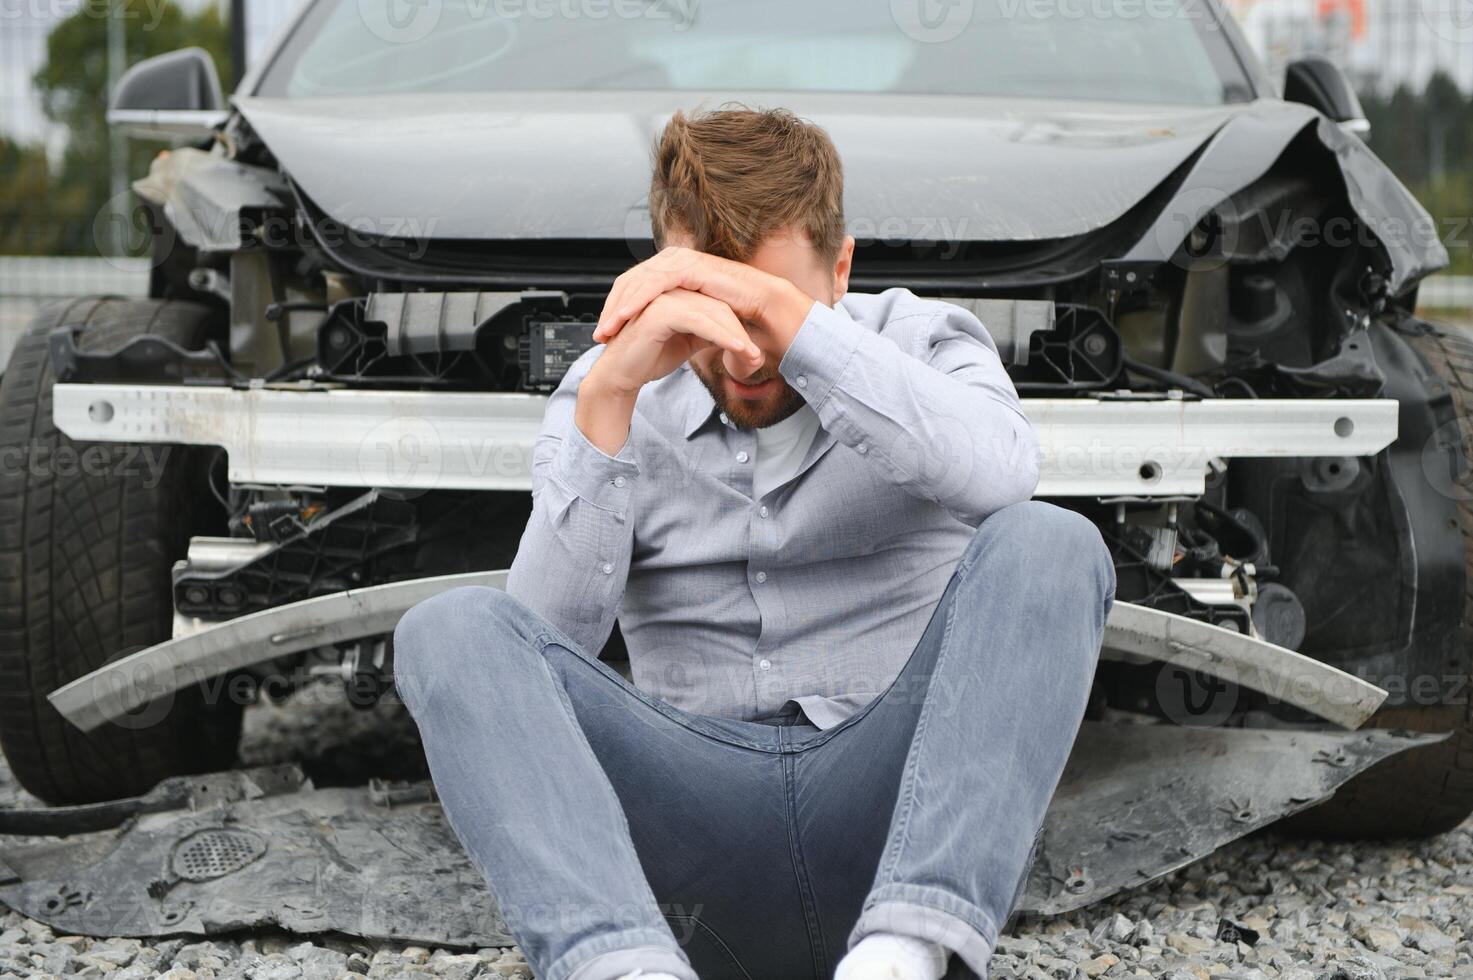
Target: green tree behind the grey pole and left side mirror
[73, 86]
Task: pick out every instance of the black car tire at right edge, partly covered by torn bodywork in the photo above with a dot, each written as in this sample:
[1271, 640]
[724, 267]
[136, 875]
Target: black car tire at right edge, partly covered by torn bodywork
[1430, 791]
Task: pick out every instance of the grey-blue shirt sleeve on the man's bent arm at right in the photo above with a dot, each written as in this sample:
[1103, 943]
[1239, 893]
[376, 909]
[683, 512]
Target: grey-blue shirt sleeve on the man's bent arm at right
[929, 403]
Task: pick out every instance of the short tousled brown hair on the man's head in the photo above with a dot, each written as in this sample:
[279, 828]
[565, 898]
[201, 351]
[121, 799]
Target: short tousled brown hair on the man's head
[733, 176]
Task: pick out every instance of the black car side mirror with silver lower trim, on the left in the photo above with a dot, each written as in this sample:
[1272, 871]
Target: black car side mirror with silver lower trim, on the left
[175, 95]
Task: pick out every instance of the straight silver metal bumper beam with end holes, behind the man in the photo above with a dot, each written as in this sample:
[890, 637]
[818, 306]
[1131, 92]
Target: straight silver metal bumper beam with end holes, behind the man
[484, 440]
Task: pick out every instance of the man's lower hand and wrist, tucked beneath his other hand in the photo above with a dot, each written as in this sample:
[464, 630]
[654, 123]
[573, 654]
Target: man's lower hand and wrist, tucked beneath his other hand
[665, 334]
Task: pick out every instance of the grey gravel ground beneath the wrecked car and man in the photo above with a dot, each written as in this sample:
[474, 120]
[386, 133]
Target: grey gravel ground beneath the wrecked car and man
[1301, 910]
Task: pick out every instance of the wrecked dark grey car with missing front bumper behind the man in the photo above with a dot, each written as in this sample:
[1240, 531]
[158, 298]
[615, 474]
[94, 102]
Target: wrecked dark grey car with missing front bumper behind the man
[376, 260]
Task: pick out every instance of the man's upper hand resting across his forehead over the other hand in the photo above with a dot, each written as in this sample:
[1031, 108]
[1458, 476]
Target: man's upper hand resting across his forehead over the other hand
[759, 298]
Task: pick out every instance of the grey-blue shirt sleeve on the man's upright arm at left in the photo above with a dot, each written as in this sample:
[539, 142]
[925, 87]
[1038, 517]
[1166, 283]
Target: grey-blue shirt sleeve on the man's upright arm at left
[574, 561]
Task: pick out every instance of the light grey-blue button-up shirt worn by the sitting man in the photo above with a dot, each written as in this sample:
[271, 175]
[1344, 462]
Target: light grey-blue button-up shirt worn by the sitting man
[817, 593]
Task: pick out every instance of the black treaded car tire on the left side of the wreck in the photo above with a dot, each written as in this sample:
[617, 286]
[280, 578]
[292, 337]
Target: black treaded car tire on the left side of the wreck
[88, 540]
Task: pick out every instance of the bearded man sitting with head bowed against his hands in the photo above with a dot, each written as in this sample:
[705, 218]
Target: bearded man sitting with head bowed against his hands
[859, 654]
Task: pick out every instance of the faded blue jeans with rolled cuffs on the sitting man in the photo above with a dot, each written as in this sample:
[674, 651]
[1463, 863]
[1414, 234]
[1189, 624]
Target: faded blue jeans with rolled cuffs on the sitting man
[619, 832]
